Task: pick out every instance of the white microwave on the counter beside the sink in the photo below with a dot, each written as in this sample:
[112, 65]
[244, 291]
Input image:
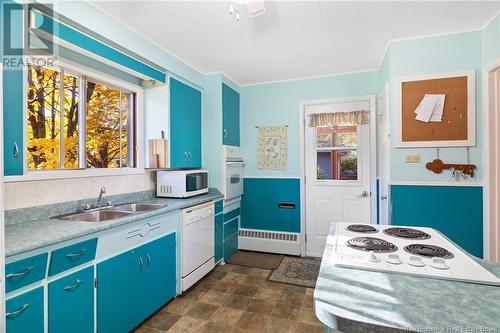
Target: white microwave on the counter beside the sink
[181, 183]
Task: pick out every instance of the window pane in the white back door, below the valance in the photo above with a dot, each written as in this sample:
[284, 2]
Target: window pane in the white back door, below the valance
[336, 152]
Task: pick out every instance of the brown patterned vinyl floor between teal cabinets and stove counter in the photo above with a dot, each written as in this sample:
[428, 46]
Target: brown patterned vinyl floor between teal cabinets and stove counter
[238, 299]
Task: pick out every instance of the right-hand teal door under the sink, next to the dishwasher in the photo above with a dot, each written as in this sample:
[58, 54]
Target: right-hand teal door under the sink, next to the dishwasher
[159, 277]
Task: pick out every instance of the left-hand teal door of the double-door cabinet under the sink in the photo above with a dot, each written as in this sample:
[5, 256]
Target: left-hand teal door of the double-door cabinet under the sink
[118, 281]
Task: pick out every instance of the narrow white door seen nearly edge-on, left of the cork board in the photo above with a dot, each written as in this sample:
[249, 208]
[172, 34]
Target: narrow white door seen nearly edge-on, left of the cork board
[384, 159]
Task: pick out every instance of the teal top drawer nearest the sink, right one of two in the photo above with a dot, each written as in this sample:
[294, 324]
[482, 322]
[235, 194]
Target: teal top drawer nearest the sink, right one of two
[72, 256]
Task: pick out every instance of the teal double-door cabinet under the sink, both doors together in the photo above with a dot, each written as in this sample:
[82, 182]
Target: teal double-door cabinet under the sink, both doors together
[134, 284]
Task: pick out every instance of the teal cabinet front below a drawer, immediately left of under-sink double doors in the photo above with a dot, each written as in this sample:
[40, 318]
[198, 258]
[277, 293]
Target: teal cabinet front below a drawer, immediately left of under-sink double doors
[71, 303]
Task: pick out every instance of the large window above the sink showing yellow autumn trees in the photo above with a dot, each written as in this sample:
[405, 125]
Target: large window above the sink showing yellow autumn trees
[75, 122]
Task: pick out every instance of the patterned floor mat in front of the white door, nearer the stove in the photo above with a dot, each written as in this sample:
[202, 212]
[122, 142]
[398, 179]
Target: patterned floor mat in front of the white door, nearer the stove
[298, 271]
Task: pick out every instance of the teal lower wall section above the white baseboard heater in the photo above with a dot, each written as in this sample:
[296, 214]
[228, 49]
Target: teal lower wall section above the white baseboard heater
[259, 206]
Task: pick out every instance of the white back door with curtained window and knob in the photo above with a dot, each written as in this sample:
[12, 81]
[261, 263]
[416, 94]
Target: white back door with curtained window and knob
[337, 174]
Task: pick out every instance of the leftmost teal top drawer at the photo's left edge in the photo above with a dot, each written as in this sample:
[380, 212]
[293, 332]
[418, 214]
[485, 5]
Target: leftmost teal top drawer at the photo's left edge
[24, 272]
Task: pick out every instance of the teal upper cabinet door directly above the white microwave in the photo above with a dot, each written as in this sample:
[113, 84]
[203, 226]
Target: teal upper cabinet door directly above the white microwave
[185, 126]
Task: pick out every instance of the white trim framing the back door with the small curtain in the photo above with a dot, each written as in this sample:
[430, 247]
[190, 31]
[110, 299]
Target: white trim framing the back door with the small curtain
[373, 157]
